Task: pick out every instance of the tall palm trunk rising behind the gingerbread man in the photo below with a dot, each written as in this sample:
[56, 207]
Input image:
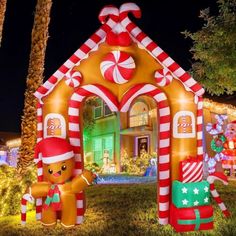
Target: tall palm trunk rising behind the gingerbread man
[34, 80]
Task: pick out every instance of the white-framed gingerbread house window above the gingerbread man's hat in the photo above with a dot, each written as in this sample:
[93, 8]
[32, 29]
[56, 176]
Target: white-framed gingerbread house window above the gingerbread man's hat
[54, 126]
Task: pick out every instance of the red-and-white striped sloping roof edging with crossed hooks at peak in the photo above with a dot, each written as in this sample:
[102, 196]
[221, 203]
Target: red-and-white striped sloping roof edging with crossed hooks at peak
[116, 20]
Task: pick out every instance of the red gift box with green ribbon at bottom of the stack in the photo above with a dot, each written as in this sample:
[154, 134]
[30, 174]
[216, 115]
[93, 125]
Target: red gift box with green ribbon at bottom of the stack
[192, 218]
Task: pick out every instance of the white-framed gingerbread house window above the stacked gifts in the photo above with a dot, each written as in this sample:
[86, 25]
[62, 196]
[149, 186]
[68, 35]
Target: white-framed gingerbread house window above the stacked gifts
[184, 125]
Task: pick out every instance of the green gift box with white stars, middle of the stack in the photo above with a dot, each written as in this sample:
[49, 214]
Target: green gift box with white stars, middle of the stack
[190, 194]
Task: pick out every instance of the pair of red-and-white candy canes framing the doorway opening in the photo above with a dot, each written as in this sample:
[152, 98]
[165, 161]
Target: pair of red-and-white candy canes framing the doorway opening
[164, 118]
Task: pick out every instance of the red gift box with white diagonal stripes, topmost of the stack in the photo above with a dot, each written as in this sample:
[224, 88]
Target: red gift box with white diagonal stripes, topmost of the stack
[191, 170]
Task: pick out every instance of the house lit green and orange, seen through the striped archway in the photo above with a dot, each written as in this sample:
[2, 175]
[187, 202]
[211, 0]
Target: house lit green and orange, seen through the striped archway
[133, 132]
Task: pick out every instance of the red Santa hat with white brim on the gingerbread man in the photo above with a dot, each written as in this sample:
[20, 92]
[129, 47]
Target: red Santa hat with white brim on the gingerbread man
[53, 150]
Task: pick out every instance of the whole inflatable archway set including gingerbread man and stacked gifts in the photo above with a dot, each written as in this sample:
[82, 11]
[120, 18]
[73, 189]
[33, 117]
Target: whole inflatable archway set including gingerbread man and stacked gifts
[119, 63]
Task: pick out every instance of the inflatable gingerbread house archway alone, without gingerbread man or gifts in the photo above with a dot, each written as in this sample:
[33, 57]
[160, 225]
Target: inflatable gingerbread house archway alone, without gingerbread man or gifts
[119, 63]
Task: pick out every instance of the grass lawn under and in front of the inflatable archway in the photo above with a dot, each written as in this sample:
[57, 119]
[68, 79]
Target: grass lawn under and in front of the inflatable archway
[124, 209]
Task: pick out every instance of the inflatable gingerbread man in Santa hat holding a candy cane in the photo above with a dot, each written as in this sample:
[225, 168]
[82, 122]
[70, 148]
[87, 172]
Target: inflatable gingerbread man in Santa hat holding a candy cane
[59, 187]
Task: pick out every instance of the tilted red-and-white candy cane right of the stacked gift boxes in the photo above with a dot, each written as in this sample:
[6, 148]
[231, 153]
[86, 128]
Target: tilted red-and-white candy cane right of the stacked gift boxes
[211, 179]
